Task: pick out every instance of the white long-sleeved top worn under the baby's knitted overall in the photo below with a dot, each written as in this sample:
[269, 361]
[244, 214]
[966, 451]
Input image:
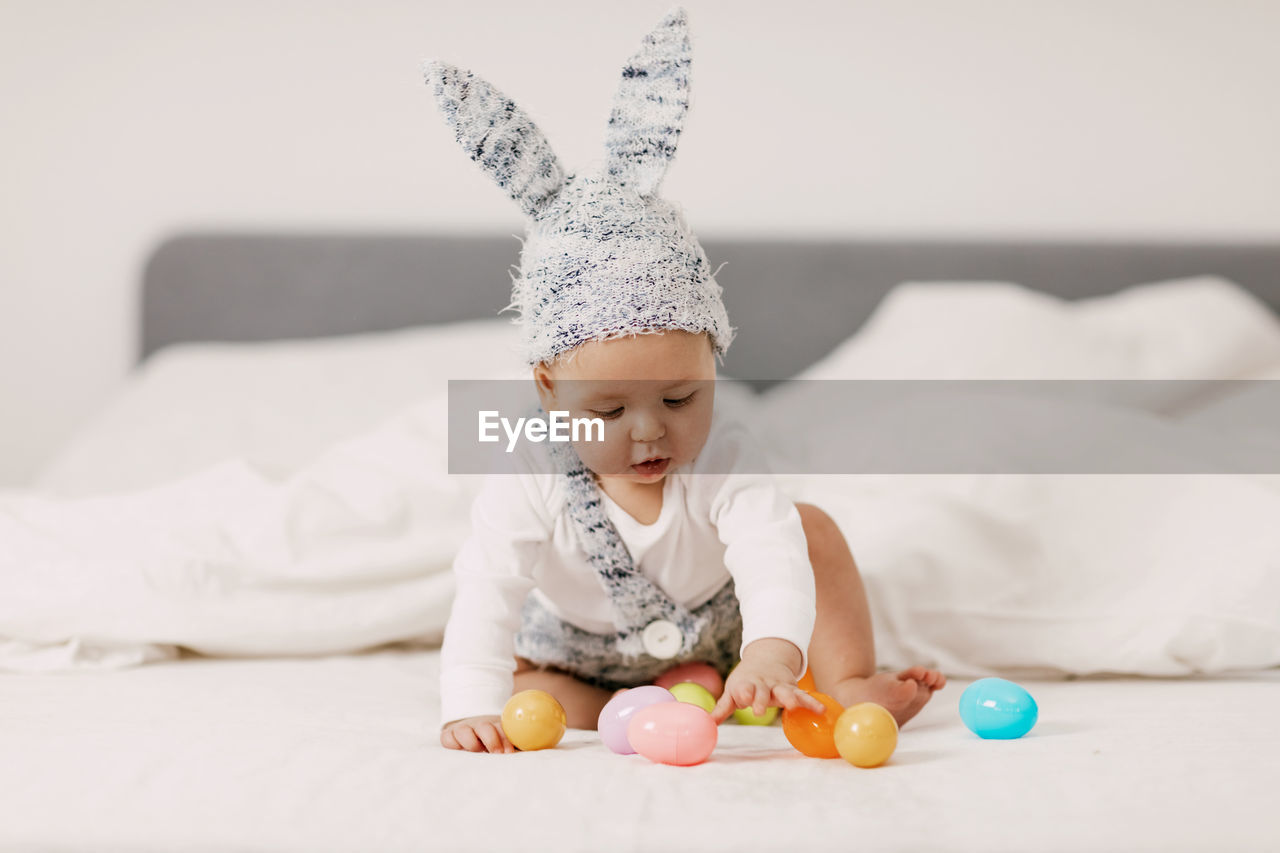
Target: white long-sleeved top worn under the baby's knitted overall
[719, 521]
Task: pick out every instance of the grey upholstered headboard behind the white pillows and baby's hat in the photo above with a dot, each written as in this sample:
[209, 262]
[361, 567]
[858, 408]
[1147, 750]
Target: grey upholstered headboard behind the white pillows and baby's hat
[792, 302]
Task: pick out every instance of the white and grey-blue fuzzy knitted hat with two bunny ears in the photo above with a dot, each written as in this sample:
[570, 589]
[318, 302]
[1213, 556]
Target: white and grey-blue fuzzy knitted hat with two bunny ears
[605, 257]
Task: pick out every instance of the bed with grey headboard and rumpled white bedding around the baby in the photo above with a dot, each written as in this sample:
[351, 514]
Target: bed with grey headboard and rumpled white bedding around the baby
[245, 690]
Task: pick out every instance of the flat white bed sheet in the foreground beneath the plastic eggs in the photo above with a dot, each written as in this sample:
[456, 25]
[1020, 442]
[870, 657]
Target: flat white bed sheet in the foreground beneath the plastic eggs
[341, 754]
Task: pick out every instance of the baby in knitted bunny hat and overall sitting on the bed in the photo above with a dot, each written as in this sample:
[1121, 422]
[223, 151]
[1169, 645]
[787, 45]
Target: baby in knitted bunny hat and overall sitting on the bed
[604, 564]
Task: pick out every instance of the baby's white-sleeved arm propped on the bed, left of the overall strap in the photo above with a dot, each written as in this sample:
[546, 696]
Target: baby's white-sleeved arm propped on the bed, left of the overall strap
[495, 576]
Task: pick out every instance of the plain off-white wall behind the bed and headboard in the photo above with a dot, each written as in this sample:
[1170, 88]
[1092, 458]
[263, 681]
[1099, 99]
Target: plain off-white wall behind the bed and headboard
[126, 121]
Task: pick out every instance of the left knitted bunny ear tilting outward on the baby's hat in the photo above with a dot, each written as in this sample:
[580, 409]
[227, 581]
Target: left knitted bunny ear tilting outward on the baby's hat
[499, 136]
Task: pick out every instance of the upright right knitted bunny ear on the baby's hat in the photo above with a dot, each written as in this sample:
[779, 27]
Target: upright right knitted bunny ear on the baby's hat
[650, 107]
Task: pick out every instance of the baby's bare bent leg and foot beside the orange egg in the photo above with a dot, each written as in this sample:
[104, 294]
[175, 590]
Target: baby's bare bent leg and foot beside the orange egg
[843, 651]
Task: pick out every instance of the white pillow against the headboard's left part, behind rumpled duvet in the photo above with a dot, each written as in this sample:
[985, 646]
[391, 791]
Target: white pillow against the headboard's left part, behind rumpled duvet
[275, 405]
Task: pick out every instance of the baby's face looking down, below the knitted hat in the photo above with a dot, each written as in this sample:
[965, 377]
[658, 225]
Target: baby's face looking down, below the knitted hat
[655, 394]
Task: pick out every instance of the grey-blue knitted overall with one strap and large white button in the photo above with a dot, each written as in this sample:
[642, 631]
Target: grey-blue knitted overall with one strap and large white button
[710, 633]
